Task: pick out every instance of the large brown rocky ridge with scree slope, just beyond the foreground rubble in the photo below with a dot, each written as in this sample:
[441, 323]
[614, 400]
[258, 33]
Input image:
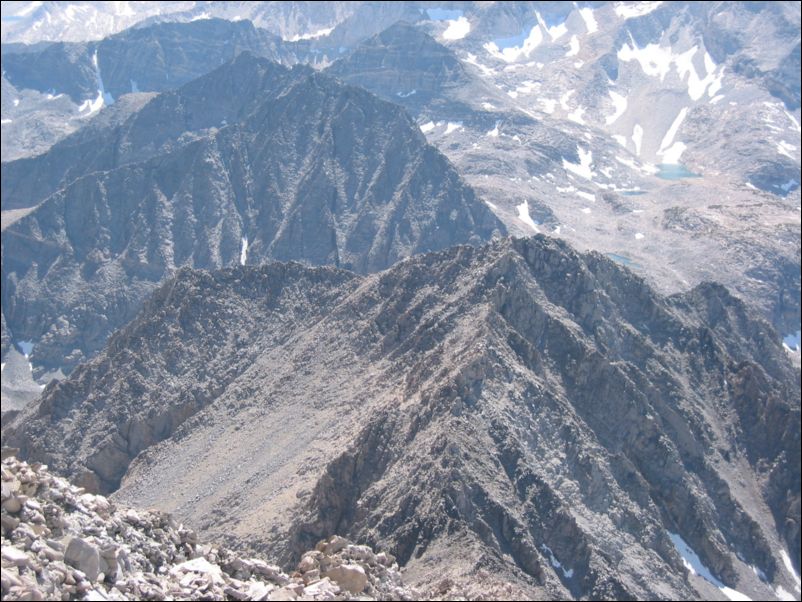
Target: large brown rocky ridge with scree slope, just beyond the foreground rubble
[514, 413]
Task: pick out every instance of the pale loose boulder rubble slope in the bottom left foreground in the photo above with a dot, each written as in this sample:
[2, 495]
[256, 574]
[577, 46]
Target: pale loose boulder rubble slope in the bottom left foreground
[61, 543]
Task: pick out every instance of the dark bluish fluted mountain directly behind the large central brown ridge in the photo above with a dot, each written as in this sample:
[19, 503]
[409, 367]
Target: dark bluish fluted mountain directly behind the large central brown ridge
[294, 166]
